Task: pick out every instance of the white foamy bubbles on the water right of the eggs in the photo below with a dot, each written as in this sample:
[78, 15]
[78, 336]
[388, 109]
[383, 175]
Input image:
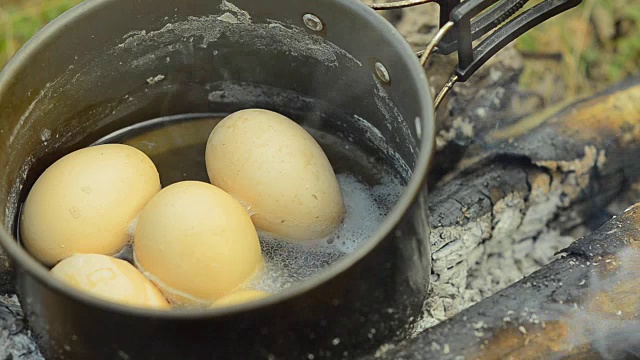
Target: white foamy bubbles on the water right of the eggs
[289, 263]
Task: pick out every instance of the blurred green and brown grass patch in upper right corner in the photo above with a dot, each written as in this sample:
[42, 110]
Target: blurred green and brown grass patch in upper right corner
[587, 48]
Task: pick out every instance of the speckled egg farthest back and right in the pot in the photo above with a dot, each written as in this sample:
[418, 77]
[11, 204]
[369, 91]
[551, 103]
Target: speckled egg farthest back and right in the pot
[278, 171]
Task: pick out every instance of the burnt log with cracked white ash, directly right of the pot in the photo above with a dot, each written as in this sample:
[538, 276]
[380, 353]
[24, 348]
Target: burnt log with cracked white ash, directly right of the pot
[507, 208]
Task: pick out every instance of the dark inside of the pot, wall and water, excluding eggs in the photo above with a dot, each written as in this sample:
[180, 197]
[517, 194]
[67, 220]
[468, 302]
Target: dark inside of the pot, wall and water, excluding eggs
[159, 76]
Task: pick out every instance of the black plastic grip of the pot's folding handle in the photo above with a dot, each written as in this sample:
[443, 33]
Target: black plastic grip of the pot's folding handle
[468, 28]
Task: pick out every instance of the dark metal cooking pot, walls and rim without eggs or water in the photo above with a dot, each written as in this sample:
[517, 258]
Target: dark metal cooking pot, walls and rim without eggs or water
[108, 64]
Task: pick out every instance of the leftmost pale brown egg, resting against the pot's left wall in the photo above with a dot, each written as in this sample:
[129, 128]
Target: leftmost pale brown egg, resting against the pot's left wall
[86, 202]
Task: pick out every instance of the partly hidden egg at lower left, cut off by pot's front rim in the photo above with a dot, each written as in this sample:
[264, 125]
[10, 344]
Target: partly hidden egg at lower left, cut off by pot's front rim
[109, 279]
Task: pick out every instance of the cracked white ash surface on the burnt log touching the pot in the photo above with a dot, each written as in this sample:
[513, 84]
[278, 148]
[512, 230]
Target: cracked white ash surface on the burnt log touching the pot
[474, 261]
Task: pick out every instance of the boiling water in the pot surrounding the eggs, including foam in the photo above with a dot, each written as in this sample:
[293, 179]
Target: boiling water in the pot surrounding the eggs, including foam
[370, 189]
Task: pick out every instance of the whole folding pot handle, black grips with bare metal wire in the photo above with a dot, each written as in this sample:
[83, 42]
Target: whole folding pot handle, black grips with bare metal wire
[461, 23]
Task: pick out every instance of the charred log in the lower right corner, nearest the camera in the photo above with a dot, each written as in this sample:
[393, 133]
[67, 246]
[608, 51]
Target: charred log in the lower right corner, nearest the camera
[585, 305]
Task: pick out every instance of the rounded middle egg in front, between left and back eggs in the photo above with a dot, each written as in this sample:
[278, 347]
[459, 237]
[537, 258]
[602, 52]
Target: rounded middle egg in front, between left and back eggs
[196, 243]
